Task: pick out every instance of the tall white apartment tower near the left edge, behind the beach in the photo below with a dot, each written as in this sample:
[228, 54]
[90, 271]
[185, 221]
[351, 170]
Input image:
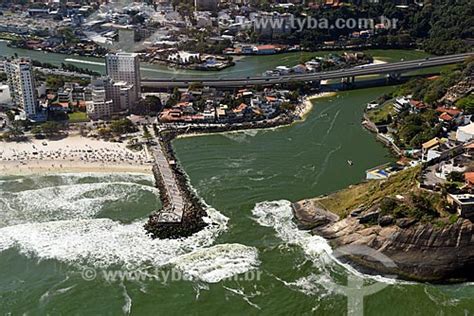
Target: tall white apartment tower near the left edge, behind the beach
[22, 85]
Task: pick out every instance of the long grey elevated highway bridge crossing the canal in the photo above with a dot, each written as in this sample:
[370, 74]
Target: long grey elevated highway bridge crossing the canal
[389, 68]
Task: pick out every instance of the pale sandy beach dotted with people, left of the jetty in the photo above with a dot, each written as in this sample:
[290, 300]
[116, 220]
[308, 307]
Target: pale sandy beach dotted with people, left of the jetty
[71, 154]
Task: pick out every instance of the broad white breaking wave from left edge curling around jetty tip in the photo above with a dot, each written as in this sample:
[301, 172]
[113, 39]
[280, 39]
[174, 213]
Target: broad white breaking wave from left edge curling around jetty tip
[104, 242]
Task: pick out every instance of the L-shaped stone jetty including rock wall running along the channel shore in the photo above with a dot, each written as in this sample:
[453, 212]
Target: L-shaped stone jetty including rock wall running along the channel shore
[182, 212]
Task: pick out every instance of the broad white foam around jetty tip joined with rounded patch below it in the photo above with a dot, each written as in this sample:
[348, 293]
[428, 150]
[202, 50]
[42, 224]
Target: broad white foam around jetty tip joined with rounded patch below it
[103, 243]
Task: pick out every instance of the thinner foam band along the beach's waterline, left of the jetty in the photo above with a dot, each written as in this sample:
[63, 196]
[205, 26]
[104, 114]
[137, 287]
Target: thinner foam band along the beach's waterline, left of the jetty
[76, 201]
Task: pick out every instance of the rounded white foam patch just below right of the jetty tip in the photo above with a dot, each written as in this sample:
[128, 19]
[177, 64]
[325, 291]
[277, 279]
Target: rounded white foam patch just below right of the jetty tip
[218, 262]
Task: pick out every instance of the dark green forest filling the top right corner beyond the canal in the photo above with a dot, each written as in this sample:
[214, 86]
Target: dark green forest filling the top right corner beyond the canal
[438, 27]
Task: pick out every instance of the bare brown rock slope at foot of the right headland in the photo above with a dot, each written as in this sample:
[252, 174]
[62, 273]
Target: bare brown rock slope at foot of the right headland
[421, 252]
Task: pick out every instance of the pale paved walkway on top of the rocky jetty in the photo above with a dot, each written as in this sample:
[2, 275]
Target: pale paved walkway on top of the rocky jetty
[173, 205]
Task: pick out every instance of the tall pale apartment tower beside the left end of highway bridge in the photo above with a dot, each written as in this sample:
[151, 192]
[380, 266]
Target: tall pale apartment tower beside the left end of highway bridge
[125, 67]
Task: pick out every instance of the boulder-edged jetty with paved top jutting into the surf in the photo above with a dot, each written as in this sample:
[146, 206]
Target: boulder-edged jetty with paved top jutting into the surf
[182, 212]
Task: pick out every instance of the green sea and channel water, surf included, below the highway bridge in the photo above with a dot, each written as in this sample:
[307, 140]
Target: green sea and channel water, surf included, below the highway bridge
[55, 227]
